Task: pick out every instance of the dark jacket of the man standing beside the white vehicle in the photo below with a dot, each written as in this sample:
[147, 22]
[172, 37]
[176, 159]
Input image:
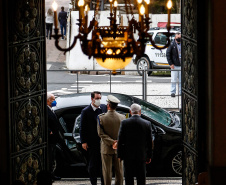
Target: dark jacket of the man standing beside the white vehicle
[172, 54]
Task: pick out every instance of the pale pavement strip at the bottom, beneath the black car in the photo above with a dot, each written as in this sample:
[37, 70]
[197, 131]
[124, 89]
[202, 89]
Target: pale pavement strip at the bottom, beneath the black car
[149, 181]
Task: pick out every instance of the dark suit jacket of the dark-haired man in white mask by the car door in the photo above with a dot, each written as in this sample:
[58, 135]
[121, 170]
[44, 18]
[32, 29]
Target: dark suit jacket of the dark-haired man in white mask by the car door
[88, 128]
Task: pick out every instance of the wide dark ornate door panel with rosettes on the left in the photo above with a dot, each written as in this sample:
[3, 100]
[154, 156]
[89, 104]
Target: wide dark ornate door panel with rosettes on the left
[26, 87]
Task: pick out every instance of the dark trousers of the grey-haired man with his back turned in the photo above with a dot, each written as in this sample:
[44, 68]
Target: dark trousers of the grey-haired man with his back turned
[135, 168]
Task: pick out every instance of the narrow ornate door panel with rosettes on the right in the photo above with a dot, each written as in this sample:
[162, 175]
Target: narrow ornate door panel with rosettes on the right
[189, 92]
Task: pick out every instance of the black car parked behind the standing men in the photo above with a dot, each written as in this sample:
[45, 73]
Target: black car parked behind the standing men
[166, 128]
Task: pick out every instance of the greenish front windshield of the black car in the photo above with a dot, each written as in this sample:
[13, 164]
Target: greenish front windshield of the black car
[155, 113]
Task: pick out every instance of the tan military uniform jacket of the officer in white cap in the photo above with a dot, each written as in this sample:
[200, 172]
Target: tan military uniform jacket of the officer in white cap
[108, 126]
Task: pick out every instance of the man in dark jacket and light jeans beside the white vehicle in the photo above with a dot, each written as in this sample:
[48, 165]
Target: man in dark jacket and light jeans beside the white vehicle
[173, 55]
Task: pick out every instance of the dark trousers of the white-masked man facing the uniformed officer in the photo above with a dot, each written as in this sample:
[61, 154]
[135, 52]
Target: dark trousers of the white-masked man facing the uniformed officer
[95, 165]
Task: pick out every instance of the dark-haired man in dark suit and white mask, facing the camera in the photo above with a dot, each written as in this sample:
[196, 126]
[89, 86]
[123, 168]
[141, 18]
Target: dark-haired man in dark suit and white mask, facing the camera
[89, 136]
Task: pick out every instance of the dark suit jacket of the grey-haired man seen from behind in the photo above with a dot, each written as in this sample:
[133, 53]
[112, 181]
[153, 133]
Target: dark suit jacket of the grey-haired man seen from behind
[135, 139]
